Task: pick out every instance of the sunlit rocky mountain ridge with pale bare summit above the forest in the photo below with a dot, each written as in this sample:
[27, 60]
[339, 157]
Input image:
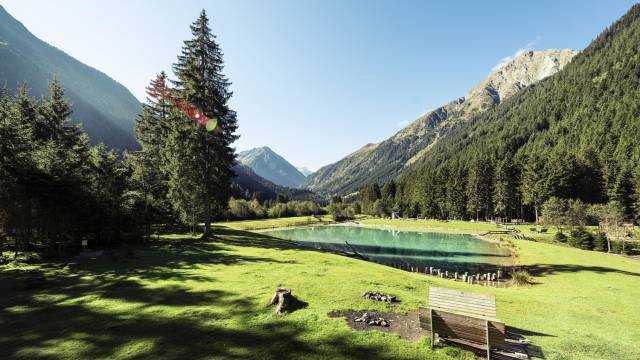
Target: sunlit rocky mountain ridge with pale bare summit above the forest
[382, 161]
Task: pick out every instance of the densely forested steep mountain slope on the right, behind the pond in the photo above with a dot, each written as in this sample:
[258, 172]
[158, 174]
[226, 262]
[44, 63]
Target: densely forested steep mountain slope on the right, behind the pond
[573, 135]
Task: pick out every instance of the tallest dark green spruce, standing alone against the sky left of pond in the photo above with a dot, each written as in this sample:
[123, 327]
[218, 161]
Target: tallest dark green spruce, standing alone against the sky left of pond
[202, 83]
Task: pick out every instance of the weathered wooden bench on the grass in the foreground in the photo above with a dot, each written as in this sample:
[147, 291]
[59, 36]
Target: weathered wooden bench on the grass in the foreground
[464, 318]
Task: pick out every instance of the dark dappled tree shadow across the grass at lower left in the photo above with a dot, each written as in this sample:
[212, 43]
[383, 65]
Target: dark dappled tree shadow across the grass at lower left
[117, 306]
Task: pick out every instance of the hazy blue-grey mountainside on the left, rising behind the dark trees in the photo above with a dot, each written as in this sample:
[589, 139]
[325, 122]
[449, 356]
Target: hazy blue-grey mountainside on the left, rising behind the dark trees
[106, 109]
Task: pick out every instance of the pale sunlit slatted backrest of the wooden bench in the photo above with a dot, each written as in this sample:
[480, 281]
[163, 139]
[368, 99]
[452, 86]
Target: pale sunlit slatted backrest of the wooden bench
[462, 302]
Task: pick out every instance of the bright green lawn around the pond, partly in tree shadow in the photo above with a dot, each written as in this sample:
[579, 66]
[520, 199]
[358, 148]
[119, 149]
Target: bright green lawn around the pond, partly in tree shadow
[184, 298]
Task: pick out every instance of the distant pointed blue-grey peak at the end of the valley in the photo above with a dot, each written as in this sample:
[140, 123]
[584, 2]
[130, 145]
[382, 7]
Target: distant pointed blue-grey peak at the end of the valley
[271, 166]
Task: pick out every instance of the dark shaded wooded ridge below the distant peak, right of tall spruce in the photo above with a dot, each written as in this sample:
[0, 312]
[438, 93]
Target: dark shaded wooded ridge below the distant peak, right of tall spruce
[248, 184]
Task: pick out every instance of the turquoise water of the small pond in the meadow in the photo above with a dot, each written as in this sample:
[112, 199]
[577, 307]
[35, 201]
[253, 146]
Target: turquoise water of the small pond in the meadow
[453, 252]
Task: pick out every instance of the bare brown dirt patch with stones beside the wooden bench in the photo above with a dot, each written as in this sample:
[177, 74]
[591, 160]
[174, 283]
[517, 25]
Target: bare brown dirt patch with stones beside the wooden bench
[407, 326]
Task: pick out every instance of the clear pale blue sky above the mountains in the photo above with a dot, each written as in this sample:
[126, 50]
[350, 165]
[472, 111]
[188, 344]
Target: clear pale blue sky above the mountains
[317, 79]
